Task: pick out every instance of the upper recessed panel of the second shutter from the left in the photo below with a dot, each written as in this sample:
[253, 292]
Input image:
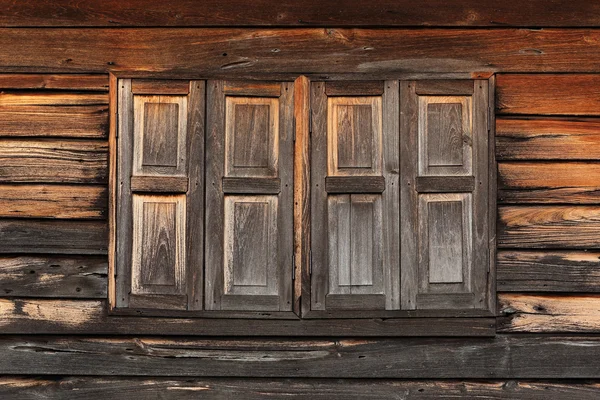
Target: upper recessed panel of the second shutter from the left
[252, 137]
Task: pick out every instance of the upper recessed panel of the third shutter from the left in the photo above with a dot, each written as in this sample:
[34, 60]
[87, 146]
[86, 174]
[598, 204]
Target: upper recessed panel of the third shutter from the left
[354, 135]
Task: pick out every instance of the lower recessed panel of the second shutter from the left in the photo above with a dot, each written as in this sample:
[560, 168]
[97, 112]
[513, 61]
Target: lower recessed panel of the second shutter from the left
[250, 245]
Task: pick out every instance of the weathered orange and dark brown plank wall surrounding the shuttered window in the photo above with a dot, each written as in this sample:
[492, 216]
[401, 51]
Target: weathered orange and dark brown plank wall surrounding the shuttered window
[56, 338]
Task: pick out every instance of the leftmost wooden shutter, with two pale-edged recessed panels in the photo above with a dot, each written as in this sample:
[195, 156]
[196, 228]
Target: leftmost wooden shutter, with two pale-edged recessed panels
[159, 192]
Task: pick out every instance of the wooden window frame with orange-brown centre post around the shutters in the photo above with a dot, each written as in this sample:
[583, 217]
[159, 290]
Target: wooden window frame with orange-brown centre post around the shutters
[302, 320]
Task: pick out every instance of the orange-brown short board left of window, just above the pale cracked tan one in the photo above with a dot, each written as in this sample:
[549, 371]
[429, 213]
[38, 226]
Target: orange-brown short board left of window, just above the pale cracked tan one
[54, 121]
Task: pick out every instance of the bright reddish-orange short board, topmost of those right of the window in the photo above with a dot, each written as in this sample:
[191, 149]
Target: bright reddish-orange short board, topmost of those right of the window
[549, 94]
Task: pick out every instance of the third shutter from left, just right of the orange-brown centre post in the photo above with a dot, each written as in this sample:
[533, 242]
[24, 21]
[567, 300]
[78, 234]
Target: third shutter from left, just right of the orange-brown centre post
[355, 196]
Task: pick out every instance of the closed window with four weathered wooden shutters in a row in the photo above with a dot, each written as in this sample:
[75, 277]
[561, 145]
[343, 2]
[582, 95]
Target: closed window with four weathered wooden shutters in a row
[398, 182]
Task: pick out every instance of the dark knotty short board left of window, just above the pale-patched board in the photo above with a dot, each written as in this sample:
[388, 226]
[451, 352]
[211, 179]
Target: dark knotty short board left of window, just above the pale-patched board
[53, 276]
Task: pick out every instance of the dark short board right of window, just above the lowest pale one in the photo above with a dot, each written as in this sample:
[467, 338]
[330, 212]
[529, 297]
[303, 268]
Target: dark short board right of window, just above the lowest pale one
[548, 271]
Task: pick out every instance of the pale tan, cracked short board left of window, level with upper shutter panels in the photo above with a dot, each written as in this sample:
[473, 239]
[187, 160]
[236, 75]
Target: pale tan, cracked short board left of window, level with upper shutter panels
[49, 161]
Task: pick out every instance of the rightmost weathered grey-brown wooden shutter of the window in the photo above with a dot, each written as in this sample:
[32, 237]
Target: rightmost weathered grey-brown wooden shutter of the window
[444, 195]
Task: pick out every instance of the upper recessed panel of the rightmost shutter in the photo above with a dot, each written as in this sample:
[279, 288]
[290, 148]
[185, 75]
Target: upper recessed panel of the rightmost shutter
[445, 135]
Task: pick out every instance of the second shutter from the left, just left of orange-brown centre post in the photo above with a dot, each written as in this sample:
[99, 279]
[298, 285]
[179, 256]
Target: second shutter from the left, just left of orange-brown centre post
[249, 196]
